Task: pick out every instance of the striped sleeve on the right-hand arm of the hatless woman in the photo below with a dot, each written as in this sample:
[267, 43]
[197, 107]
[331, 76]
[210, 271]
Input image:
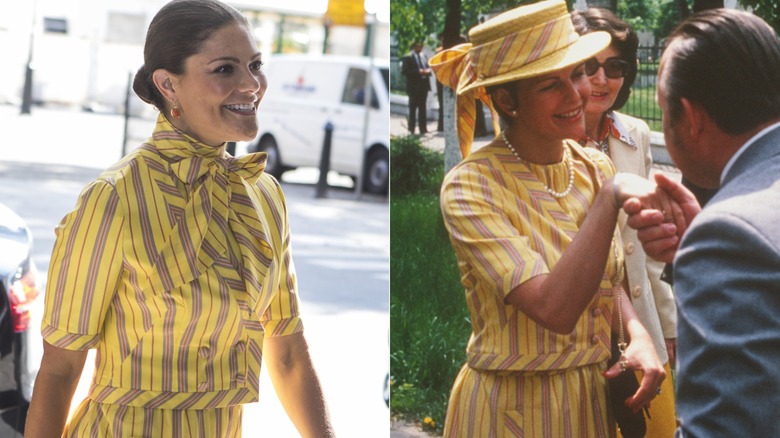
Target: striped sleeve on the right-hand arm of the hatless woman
[282, 316]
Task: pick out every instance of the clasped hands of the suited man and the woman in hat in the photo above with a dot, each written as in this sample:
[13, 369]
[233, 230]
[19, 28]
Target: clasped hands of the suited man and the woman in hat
[660, 212]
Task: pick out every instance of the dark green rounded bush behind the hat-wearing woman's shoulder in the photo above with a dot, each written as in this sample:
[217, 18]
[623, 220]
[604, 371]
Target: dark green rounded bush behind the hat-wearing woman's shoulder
[414, 169]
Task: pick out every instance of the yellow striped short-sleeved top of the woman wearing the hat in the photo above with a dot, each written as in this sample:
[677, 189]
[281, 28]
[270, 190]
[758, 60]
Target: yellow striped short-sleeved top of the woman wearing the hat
[505, 229]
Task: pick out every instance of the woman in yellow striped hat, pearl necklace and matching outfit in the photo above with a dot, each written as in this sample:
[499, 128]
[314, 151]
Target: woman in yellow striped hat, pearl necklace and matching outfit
[532, 219]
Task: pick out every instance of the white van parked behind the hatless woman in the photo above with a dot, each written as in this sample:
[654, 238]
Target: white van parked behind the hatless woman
[306, 92]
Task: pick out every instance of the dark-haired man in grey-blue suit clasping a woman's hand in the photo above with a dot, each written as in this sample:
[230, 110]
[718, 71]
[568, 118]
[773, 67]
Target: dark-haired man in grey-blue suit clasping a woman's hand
[719, 89]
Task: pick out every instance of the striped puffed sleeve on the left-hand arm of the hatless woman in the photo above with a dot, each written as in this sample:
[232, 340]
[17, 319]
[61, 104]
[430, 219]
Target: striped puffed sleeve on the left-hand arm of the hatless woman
[86, 265]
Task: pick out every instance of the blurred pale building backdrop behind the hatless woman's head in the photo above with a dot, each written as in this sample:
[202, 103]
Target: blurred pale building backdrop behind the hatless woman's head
[81, 52]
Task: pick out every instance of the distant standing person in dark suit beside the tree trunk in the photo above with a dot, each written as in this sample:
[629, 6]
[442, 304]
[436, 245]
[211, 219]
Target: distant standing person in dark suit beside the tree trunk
[417, 72]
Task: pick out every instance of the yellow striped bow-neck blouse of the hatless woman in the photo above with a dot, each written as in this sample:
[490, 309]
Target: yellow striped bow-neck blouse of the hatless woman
[174, 264]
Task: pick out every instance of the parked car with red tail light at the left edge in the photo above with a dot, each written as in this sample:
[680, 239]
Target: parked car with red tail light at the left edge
[21, 308]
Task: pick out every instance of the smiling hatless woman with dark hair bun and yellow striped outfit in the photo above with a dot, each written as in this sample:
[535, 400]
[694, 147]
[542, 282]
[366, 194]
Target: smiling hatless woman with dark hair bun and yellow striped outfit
[175, 263]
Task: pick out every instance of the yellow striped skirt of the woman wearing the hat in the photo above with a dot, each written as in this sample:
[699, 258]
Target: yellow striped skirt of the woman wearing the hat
[556, 404]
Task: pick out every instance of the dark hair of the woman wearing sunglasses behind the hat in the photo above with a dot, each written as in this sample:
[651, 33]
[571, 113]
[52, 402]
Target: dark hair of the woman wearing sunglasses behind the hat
[624, 39]
